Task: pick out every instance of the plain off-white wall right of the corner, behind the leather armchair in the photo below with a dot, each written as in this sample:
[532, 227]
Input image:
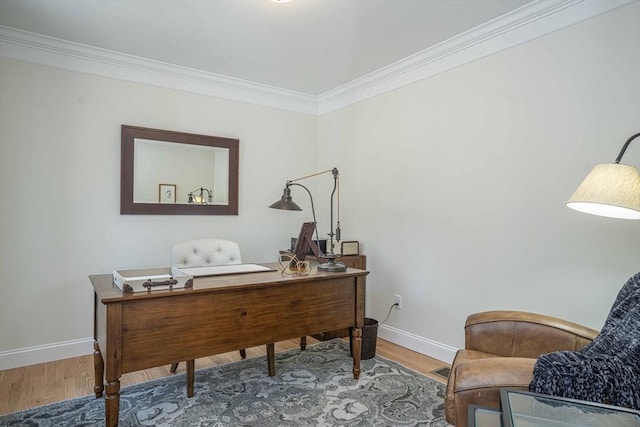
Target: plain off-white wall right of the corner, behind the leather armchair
[456, 185]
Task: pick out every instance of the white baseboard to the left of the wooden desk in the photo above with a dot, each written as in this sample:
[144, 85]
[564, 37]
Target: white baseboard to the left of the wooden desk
[45, 353]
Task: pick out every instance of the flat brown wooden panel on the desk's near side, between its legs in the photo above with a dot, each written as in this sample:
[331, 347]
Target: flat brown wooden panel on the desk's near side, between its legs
[165, 330]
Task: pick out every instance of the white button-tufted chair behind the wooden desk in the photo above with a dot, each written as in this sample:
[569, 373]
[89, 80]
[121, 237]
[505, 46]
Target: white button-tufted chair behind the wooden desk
[204, 253]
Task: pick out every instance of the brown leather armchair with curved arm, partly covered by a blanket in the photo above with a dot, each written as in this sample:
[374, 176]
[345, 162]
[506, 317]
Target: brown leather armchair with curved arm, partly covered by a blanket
[501, 348]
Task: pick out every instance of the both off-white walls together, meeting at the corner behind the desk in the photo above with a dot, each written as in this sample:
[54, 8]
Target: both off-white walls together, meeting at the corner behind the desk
[454, 185]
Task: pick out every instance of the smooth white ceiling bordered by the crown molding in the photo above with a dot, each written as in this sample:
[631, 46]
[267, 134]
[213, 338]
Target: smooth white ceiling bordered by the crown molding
[309, 46]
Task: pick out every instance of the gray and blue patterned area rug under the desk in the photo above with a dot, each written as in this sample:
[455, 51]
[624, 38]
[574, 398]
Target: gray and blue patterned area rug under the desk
[314, 387]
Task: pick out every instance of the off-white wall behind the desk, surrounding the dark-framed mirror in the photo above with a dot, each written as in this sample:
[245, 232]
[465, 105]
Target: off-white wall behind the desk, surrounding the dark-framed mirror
[60, 193]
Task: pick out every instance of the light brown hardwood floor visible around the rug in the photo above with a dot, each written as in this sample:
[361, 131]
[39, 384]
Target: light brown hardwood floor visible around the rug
[36, 385]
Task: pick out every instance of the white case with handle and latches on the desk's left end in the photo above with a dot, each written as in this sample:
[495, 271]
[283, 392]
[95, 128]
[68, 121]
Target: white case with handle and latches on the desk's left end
[151, 279]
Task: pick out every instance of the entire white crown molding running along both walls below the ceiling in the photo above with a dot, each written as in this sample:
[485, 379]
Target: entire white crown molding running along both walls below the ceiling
[528, 22]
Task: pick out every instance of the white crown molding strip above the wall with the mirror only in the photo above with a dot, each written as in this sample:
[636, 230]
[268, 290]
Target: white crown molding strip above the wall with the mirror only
[54, 52]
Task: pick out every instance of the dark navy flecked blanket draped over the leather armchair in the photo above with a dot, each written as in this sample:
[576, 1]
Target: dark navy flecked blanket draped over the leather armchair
[606, 370]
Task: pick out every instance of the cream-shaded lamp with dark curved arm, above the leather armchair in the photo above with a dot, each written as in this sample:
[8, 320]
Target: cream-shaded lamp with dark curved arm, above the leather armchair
[610, 189]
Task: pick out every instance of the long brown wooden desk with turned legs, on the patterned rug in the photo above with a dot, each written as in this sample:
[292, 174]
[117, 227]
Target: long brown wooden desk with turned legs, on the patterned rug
[219, 314]
